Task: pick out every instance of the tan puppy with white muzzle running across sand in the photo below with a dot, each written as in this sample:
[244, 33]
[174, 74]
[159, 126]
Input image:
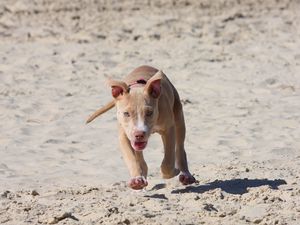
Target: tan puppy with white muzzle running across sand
[147, 102]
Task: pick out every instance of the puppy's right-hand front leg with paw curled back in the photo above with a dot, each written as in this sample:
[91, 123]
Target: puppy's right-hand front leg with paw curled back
[168, 169]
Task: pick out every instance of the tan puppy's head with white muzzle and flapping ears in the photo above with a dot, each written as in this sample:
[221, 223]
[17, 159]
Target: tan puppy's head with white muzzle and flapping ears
[137, 109]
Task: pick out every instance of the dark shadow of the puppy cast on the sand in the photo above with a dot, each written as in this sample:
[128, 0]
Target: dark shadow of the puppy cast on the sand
[235, 186]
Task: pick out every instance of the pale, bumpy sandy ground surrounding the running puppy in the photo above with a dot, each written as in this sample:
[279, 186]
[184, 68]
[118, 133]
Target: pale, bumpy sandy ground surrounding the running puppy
[236, 67]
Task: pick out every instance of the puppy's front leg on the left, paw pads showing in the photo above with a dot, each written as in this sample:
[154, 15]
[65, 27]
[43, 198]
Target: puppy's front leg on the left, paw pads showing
[135, 162]
